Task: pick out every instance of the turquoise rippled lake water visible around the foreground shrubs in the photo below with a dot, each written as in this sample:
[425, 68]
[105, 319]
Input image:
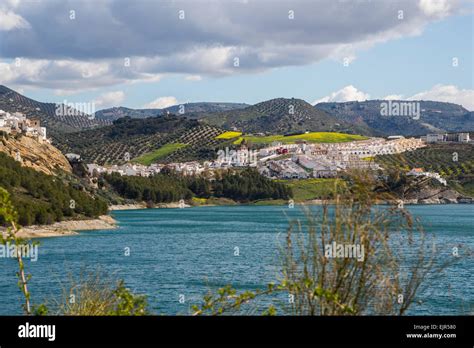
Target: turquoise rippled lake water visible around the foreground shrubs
[176, 252]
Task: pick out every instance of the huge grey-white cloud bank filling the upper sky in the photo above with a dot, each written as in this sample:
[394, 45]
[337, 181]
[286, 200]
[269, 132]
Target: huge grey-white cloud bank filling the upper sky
[200, 46]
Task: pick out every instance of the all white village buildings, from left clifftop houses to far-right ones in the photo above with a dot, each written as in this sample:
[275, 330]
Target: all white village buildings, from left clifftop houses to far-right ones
[301, 160]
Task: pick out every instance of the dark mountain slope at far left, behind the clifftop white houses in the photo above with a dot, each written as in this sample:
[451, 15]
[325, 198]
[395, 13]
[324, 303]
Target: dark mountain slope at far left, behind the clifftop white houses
[12, 101]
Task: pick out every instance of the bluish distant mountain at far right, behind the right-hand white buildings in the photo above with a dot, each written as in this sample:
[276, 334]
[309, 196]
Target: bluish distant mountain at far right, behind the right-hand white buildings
[434, 117]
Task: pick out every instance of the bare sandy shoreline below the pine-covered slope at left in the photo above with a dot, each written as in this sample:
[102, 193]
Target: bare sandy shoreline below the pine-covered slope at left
[67, 228]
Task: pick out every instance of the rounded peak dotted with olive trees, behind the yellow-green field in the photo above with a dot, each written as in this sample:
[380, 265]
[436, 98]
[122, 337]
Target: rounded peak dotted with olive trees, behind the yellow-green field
[281, 116]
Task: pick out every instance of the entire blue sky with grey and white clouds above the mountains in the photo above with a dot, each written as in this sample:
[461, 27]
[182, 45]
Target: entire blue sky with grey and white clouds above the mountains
[153, 54]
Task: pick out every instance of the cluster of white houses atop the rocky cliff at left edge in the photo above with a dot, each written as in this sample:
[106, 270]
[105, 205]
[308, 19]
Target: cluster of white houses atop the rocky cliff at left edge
[17, 123]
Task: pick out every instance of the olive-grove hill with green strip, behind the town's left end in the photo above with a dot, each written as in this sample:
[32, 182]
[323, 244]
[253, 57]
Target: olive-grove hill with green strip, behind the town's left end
[140, 139]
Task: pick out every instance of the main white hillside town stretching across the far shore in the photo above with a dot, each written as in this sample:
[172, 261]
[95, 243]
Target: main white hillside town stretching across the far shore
[301, 160]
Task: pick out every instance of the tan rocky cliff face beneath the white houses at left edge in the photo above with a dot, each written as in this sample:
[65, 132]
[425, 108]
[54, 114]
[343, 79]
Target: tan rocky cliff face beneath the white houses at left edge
[35, 154]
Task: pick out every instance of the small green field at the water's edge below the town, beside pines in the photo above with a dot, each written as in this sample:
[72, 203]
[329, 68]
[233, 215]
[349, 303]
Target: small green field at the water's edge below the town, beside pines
[307, 189]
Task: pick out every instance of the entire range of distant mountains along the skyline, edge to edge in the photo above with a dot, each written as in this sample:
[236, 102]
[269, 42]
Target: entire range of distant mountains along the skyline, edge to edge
[273, 116]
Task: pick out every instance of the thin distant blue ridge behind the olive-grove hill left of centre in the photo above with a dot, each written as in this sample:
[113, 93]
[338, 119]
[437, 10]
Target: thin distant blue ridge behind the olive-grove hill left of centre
[189, 109]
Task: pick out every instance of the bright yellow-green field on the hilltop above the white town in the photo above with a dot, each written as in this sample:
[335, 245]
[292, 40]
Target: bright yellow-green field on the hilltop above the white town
[313, 137]
